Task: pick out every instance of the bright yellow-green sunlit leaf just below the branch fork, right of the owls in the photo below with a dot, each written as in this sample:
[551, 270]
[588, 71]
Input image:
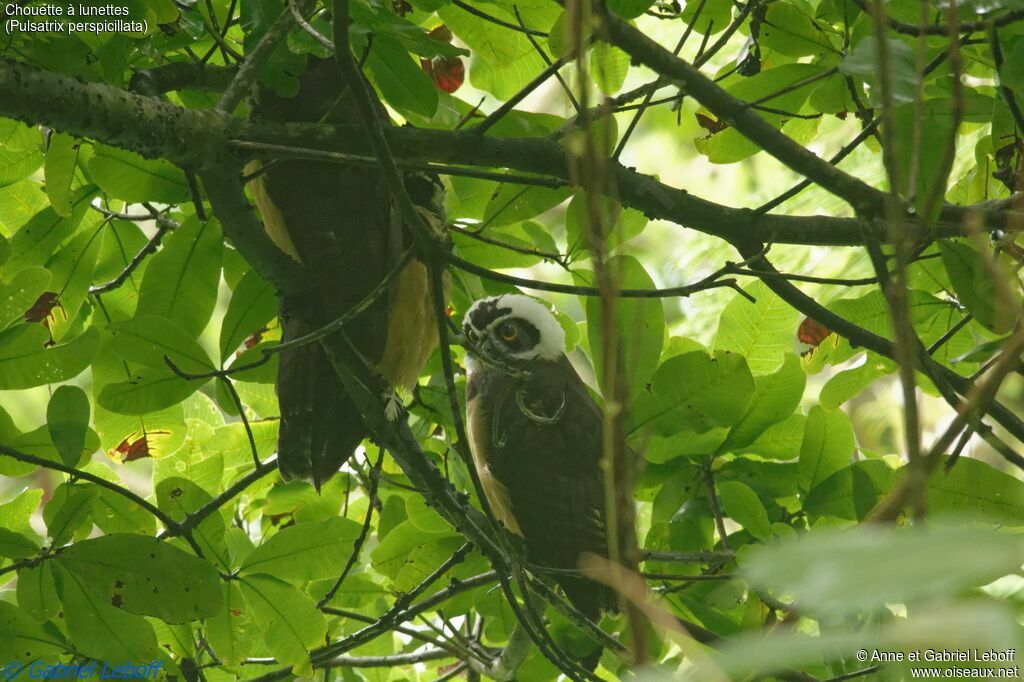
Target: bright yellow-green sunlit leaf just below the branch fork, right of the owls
[762, 332]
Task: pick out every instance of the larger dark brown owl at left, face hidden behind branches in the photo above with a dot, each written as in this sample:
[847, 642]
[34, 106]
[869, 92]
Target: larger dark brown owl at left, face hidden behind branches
[339, 222]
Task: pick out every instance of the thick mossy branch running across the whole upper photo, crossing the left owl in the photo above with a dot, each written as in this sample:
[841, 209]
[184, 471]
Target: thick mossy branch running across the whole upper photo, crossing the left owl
[201, 139]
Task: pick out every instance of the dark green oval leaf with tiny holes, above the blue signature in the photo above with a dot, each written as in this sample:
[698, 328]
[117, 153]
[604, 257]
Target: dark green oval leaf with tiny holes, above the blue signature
[146, 576]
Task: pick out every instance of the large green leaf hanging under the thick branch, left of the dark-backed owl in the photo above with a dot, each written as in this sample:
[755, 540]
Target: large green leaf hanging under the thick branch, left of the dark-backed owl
[182, 281]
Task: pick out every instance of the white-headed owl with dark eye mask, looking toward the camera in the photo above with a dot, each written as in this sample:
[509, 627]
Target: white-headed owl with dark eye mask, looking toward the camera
[535, 434]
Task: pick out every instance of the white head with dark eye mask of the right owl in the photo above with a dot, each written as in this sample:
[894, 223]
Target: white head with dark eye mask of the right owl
[515, 327]
